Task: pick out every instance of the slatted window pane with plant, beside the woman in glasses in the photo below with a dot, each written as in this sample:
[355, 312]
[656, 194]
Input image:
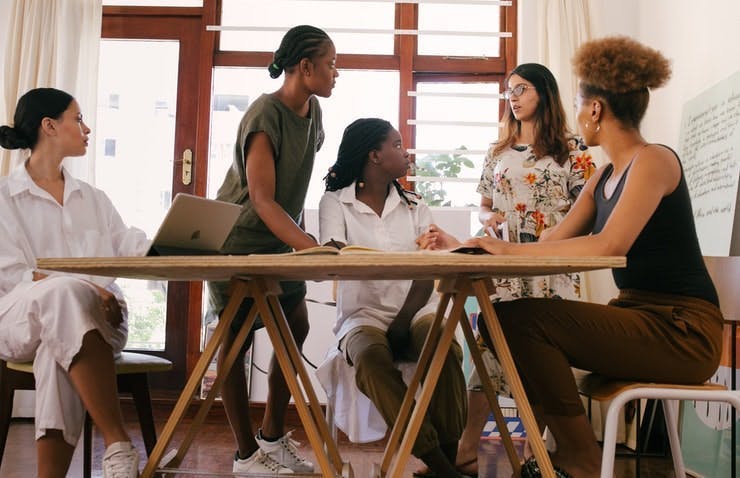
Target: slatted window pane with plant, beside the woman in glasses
[436, 143]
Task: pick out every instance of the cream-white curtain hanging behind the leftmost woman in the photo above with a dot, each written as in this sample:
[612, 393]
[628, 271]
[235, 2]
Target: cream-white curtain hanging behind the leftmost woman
[50, 43]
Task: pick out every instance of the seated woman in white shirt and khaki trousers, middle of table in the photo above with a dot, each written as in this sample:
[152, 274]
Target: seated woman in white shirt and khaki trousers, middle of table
[381, 321]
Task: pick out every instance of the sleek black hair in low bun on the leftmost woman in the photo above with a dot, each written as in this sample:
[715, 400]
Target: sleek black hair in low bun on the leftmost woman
[33, 107]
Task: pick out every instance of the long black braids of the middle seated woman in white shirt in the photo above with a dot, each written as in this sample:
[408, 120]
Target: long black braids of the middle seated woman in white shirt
[360, 138]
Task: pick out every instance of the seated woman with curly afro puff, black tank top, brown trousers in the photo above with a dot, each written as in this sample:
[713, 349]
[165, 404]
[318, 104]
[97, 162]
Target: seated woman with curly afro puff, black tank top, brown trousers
[665, 325]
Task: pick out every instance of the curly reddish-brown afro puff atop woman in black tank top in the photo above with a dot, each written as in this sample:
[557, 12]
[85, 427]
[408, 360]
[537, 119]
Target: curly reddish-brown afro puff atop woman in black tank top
[620, 64]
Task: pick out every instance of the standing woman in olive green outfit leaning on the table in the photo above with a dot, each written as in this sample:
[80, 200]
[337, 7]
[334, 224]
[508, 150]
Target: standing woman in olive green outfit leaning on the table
[276, 143]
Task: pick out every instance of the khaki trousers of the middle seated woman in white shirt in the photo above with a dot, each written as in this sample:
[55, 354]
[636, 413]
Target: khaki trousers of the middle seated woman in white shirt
[367, 350]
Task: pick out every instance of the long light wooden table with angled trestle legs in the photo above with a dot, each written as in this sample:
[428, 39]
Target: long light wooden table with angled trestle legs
[460, 276]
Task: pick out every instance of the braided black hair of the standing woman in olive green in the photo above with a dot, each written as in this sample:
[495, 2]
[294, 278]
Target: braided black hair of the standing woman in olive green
[303, 41]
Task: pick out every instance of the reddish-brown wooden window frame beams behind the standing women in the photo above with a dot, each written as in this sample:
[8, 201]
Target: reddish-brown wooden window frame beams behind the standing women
[412, 68]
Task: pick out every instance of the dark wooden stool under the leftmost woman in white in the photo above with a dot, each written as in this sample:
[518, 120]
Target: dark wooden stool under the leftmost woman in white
[131, 371]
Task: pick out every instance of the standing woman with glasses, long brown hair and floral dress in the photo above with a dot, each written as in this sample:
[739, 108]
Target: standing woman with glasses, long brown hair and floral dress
[531, 177]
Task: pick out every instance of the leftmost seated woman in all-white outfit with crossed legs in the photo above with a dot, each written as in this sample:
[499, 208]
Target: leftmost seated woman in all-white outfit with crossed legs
[70, 327]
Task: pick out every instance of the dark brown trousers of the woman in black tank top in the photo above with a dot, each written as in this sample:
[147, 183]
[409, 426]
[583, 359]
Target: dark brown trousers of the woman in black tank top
[641, 336]
